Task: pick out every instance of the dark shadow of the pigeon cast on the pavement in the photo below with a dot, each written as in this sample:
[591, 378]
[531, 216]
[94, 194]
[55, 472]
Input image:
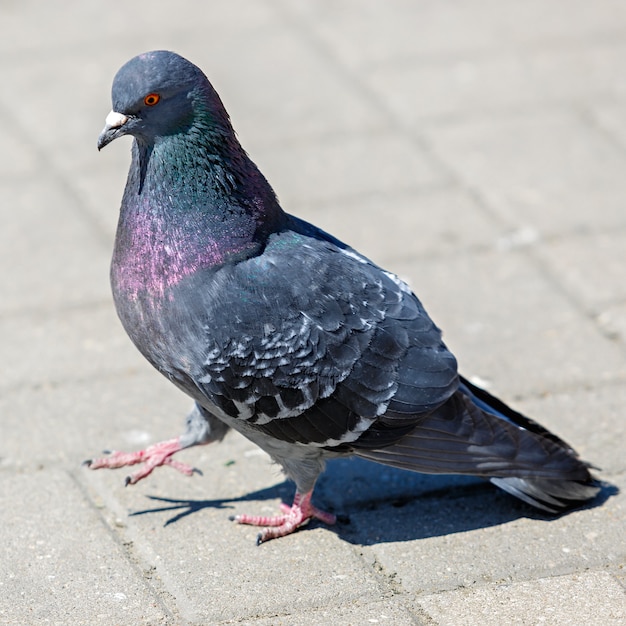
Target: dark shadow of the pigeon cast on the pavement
[379, 504]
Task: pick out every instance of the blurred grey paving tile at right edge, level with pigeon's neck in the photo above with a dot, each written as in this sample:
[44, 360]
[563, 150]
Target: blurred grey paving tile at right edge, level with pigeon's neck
[549, 171]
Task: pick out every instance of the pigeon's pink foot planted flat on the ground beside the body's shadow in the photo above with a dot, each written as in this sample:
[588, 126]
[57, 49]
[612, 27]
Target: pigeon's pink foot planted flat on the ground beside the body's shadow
[301, 512]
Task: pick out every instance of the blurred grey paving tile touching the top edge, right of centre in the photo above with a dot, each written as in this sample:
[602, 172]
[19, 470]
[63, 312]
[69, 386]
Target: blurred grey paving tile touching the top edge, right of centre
[365, 33]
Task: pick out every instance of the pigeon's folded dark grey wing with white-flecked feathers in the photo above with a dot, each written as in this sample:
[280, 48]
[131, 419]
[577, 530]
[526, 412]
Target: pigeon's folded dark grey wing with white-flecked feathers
[321, 348]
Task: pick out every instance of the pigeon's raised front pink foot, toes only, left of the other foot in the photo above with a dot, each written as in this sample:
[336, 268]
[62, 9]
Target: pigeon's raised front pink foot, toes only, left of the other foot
[154, 456]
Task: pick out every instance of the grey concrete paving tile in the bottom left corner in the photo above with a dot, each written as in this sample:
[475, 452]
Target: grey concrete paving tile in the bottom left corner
[59, 562]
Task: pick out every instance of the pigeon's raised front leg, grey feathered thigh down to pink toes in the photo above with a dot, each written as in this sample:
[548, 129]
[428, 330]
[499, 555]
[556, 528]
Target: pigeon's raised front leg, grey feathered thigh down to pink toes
[202, 428]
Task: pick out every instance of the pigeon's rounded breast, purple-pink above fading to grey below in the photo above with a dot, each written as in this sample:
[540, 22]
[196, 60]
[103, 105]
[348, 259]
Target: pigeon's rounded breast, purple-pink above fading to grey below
[162, 271]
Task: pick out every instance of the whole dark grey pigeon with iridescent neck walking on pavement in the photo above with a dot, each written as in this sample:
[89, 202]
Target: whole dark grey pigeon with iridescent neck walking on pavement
[280, 331]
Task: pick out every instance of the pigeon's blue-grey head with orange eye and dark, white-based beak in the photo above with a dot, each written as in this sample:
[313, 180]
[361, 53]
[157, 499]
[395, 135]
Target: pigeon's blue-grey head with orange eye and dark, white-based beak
[160, 93]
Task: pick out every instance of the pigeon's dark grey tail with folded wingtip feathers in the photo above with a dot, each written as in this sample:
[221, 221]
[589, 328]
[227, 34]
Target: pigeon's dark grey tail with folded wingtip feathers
[477, 434]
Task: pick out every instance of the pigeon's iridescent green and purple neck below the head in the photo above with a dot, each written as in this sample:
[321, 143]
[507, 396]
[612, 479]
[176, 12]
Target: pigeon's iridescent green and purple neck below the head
[182, 216]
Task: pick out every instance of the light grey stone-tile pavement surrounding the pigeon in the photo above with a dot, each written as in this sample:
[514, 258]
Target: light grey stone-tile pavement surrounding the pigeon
[477, 148]
